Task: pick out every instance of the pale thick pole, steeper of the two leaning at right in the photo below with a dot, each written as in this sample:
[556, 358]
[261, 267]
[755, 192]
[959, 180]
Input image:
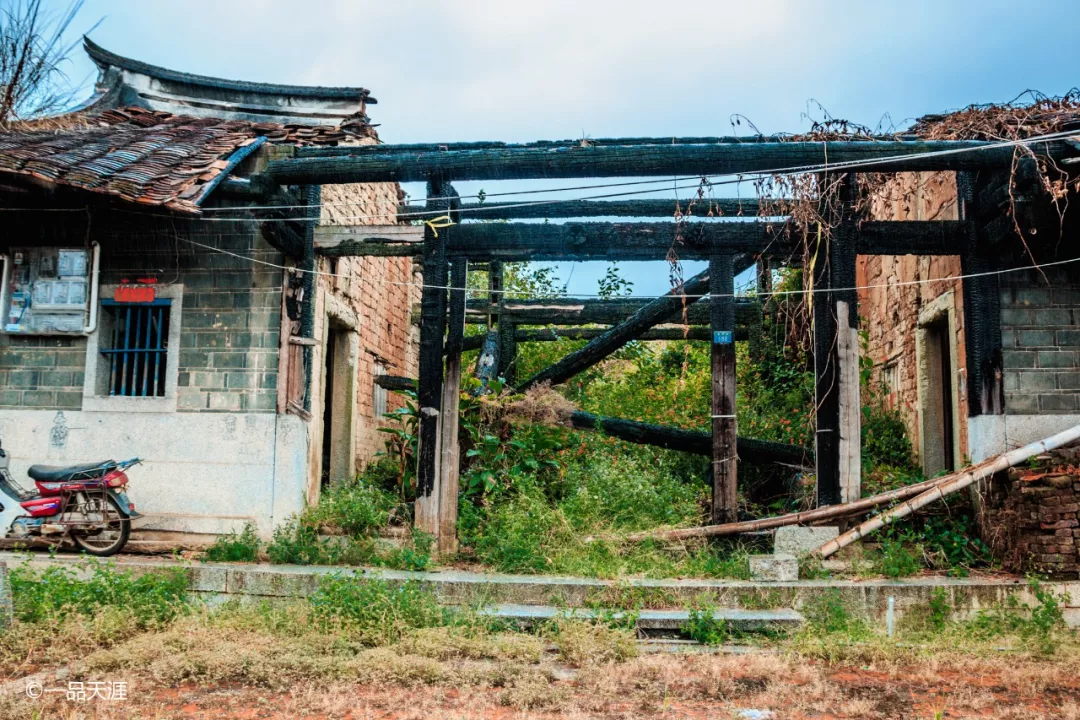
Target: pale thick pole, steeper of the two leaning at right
[949, 485]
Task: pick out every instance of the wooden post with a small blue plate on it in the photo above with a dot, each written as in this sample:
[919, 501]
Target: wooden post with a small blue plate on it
[722, 289]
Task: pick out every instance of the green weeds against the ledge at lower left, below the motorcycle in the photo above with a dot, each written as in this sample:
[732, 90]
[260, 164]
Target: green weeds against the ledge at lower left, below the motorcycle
[152, 599]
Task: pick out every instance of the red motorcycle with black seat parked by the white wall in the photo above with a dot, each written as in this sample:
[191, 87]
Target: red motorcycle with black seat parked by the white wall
[87, 505]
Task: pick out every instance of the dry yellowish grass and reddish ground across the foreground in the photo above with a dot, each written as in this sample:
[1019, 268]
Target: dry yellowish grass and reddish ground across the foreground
[262, 663]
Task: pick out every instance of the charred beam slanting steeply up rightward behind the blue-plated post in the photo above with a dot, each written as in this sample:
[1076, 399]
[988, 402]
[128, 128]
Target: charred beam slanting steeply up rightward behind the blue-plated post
[651, 315]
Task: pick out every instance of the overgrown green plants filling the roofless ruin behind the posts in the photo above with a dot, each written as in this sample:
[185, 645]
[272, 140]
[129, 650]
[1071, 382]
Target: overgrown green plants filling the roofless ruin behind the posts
[541, 498]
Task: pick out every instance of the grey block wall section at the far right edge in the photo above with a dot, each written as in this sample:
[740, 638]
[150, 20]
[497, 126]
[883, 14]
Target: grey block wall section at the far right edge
[1041, 342]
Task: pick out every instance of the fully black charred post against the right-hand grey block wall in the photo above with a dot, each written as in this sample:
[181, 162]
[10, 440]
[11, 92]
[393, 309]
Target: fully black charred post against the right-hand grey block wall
[982, 309]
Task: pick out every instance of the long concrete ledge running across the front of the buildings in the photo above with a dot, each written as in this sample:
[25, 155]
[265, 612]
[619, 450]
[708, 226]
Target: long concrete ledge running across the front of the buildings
[865, 597]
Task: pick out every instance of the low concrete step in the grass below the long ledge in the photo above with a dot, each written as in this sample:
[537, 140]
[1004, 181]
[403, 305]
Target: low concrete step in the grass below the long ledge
[651, 620]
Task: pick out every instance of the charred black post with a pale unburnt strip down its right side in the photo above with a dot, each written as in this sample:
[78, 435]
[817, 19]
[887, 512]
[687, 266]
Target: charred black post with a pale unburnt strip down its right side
[836, 355]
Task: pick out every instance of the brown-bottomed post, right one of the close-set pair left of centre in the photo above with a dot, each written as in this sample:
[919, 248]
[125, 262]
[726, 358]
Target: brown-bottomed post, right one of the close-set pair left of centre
[451, 461]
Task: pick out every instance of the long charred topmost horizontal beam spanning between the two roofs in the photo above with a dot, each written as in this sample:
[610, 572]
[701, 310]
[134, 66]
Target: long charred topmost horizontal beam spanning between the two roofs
[384, 165]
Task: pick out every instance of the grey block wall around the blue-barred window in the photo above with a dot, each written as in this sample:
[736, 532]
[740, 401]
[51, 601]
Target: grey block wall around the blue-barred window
[231, 324]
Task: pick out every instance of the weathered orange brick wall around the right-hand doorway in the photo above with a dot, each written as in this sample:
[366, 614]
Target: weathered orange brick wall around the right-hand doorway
[895, 294]
